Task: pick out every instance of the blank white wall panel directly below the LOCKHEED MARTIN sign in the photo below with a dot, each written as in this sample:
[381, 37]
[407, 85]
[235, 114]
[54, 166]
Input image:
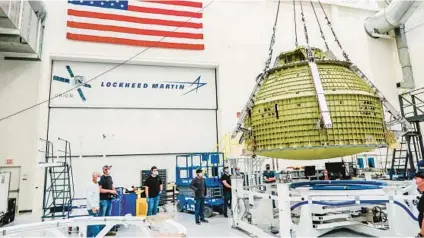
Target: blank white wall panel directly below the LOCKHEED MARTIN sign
[133, 131]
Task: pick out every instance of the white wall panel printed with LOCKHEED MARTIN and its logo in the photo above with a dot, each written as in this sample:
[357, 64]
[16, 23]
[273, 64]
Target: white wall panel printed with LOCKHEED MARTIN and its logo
[132, 86]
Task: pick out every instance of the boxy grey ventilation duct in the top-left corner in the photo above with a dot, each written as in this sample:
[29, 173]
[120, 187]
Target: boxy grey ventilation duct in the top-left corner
[21, 29]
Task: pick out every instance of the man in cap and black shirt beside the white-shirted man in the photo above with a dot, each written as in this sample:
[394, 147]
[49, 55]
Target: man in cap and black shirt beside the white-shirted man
[107, 194]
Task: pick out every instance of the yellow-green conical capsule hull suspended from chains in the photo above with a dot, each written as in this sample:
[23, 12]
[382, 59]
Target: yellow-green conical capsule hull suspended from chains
[285, 120]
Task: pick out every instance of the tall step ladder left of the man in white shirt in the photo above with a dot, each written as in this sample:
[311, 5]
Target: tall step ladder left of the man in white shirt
[58, 181]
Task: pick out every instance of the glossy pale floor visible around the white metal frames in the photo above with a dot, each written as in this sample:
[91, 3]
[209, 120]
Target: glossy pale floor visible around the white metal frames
[218, 226]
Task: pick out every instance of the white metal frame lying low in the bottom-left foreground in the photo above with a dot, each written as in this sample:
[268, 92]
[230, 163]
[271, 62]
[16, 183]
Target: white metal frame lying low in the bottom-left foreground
[56, 228]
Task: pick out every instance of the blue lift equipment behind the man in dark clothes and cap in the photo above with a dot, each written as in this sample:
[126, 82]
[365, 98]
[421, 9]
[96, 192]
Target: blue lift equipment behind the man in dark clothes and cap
[212, 165]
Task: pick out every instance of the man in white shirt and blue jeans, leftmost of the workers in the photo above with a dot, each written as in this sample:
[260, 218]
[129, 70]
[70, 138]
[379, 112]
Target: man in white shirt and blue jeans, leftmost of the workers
[93, 202]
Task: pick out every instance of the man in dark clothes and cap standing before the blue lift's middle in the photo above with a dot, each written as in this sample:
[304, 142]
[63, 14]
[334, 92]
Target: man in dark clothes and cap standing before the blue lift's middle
[198, 184]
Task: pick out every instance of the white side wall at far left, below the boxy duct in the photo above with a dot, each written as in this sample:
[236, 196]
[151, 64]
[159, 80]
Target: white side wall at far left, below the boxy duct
[19, 83]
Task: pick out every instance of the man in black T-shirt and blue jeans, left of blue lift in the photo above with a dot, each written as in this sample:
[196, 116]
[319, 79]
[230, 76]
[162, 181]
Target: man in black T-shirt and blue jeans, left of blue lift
[154, 187]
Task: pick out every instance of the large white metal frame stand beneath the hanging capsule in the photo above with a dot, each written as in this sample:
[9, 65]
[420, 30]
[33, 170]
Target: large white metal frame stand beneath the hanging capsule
[324, 211]
